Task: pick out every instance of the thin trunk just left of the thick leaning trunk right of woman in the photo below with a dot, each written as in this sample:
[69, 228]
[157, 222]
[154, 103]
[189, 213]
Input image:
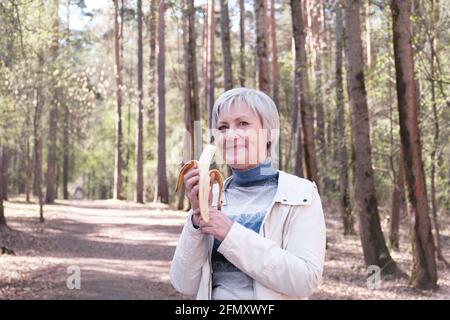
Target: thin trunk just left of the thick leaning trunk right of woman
[346, 209]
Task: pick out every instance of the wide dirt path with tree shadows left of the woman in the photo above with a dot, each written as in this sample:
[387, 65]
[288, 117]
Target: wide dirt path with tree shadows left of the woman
[122, 250]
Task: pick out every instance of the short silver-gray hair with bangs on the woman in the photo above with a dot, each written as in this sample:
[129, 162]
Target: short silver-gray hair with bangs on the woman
[260, 103]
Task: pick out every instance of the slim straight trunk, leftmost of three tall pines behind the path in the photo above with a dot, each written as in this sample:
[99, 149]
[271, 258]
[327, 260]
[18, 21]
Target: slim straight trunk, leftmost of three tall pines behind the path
[118, 162]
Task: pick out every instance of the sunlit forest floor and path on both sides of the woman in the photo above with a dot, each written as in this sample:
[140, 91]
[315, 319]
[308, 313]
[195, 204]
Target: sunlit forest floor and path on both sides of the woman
[123, 251]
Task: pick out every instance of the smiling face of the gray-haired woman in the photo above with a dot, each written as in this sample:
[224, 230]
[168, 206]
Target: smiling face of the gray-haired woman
[240, 137]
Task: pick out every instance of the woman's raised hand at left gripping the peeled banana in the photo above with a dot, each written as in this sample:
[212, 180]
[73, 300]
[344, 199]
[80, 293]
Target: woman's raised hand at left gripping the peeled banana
[191, 179]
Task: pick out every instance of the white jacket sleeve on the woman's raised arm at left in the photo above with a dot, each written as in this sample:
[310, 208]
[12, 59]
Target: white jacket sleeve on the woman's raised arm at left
[190, 255]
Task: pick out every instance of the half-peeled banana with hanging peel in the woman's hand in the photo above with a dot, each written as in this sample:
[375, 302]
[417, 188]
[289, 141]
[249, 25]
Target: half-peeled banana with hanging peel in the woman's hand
[205, 180]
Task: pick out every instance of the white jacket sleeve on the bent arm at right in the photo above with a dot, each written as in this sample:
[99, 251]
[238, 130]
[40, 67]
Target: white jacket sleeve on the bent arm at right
[295, 271]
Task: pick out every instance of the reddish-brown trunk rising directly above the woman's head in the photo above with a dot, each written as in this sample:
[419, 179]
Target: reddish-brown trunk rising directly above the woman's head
[262, 61]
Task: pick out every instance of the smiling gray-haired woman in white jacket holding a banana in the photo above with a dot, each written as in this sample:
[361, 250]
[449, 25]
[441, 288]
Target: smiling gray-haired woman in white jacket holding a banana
[268, 241]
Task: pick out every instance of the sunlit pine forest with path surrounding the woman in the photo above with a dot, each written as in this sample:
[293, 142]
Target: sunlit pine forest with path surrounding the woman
[99, 101]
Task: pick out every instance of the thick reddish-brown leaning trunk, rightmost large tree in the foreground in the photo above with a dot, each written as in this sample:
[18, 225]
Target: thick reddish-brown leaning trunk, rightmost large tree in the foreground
[424, 274]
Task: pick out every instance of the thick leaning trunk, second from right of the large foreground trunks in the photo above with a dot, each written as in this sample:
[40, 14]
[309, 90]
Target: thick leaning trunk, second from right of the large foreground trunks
[366, 206]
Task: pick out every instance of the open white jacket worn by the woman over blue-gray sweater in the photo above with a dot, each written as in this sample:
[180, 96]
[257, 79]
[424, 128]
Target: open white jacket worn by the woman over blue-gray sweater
[285, 259]
